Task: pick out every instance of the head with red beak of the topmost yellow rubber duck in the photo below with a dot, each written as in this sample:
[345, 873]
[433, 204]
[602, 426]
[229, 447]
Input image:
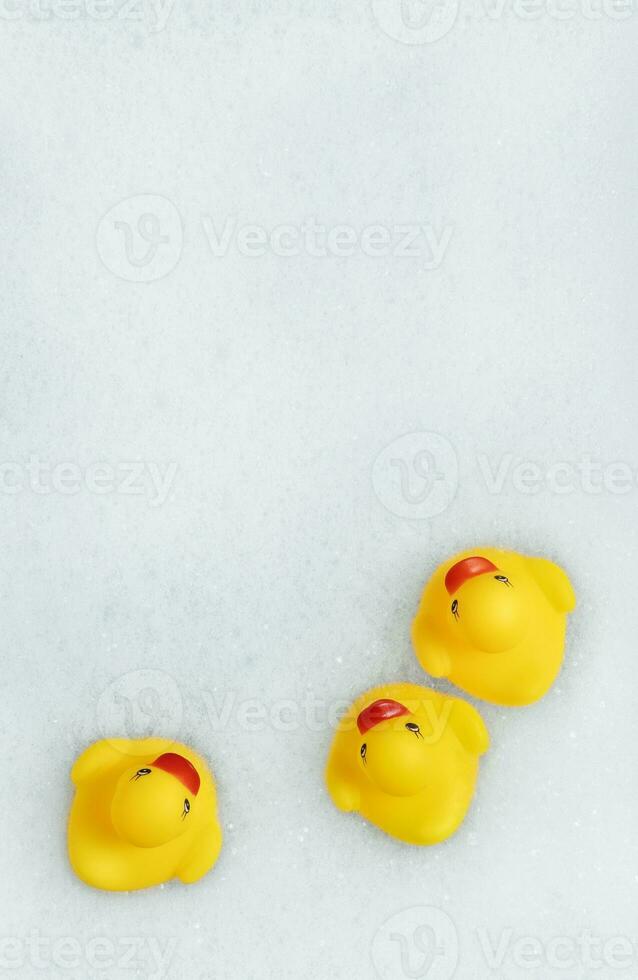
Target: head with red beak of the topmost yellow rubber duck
[488, 611]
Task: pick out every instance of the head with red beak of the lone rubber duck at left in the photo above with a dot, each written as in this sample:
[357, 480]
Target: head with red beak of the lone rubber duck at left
[154, 804]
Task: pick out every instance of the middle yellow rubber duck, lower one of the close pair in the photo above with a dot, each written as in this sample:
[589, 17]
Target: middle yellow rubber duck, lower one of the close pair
[406, 758]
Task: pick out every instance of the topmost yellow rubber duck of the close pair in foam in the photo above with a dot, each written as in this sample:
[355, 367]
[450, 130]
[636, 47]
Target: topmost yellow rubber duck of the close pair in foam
[494, 622]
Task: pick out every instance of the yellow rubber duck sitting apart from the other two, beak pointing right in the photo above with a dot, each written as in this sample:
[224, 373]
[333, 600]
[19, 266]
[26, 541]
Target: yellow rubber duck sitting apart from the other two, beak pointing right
[144, 811]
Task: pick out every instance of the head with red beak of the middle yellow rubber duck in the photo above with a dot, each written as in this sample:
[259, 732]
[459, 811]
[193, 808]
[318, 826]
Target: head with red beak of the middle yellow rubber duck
[393, 751]
